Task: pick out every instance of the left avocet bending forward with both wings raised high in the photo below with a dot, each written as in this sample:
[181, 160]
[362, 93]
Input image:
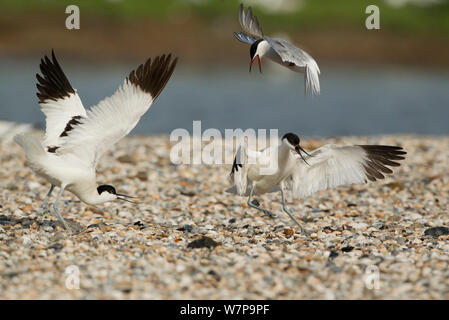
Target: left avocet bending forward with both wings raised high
[75, 139]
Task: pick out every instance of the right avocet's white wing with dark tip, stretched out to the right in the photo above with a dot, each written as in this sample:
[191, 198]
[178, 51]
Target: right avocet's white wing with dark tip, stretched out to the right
[331, 166]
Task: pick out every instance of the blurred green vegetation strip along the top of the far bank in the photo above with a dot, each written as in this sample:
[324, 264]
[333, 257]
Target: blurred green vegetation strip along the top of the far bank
[313, 15]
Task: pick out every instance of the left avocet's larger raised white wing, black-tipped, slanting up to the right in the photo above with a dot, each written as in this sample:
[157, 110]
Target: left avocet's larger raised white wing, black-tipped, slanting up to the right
[114, 117]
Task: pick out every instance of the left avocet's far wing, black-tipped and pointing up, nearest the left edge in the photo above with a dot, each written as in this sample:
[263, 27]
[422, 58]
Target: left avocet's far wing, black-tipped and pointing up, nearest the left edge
[59, 101]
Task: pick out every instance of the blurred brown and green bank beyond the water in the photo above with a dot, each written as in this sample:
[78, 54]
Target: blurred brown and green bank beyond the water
[201, 31]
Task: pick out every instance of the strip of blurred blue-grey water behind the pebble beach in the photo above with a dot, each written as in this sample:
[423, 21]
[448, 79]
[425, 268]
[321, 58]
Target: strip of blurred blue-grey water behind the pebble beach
[354, 101]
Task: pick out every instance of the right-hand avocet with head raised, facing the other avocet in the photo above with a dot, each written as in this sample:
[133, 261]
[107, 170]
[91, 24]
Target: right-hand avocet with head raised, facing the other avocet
[327, 167]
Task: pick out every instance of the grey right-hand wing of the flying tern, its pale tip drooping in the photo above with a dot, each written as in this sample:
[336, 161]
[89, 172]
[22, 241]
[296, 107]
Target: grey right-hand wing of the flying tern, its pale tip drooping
[294, 55]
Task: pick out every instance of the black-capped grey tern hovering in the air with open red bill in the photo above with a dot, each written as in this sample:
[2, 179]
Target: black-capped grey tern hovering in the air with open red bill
[277, 50]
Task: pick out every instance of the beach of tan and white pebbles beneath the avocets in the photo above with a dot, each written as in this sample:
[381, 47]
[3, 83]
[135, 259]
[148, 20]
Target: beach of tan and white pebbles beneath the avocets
[188, 239]
